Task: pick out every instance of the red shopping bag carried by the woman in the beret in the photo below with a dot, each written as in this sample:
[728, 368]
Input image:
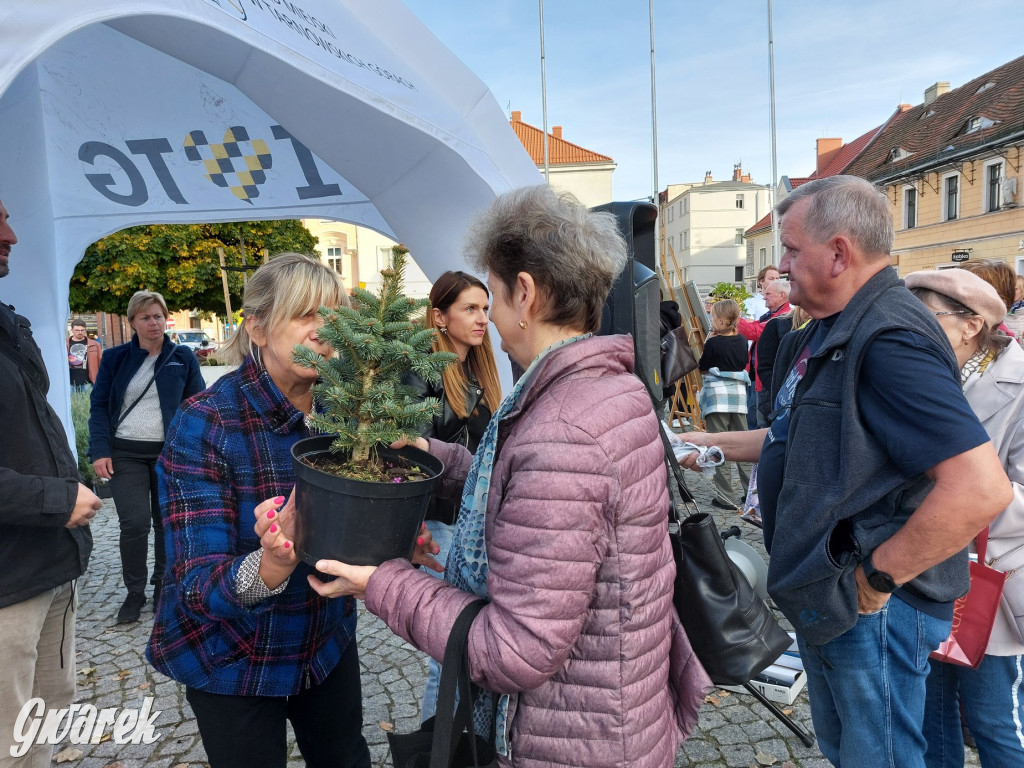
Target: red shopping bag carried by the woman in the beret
[974, 614]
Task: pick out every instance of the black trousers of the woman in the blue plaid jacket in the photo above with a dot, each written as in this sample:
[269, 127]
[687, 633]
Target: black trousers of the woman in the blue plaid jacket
[250, 732]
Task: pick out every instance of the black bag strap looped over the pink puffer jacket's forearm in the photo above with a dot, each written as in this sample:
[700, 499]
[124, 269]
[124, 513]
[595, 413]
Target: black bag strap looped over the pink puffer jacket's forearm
[454, 669]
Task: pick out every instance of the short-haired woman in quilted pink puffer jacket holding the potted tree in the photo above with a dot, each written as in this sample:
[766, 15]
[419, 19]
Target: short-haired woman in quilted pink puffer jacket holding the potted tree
[564, 525]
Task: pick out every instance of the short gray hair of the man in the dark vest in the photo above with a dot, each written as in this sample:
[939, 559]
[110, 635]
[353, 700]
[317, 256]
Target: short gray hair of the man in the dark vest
[845, 205]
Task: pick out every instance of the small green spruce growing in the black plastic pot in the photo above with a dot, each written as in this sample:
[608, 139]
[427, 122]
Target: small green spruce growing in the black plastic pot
[361, 391]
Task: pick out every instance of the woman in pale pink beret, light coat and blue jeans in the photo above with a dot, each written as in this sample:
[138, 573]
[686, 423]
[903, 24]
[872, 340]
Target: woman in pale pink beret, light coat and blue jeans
[992, 698]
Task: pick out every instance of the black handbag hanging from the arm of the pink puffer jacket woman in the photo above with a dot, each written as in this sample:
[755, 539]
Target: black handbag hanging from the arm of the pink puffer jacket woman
[448, 740]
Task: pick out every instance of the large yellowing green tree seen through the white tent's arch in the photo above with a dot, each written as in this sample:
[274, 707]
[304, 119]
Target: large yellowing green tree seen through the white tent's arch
[179, 261]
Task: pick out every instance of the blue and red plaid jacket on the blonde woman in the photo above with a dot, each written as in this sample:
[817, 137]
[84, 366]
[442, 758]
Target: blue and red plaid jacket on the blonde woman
[228, 450]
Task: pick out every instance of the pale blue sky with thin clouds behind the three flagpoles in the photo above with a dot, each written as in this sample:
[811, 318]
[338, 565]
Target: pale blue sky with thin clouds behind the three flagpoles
[842, 67]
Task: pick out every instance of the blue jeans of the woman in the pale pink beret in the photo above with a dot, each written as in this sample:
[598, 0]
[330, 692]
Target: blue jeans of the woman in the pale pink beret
[993, 699]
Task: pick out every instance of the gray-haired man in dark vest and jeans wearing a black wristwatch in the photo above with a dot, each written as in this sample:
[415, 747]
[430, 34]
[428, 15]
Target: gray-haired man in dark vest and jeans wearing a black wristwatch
[874, 477]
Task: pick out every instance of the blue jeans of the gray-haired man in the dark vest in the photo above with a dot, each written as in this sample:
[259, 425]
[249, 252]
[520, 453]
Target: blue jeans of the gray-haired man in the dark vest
[867, 689]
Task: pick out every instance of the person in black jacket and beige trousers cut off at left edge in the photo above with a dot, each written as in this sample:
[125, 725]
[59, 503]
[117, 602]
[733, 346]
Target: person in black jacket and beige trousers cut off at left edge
[46, 544]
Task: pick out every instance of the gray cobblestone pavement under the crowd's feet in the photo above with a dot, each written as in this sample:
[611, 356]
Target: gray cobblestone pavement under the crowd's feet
[735, 731]
